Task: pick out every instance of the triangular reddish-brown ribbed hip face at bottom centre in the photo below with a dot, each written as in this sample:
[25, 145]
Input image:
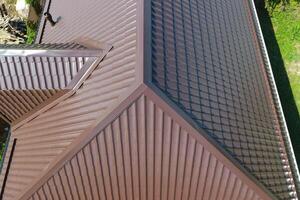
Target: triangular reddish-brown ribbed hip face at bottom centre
[145, 154]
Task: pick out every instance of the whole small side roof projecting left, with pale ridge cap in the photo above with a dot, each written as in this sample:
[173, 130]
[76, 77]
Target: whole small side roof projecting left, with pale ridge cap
[32, 74]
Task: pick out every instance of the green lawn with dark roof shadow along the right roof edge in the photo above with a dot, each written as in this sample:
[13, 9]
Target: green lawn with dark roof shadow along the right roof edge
[281, 29]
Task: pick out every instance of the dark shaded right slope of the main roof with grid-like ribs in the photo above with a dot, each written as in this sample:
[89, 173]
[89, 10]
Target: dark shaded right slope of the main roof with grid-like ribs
[206, 59]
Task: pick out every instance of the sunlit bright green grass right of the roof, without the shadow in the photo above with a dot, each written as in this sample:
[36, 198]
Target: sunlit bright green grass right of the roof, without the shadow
[286, 26]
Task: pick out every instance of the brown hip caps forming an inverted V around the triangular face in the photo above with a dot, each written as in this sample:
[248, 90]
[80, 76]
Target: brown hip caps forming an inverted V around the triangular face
[96, 129]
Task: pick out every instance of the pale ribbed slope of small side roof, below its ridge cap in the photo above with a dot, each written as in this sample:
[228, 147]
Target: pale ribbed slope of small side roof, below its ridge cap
[31, 72]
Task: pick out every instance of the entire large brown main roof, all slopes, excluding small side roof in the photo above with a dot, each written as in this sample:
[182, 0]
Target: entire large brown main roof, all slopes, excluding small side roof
[184, 106]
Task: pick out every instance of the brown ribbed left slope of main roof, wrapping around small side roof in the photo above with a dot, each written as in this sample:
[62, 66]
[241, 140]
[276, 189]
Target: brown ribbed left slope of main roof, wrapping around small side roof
[50, 133]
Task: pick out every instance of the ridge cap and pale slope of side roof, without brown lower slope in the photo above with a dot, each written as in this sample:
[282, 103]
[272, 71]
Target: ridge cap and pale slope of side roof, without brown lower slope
[26, 67]
